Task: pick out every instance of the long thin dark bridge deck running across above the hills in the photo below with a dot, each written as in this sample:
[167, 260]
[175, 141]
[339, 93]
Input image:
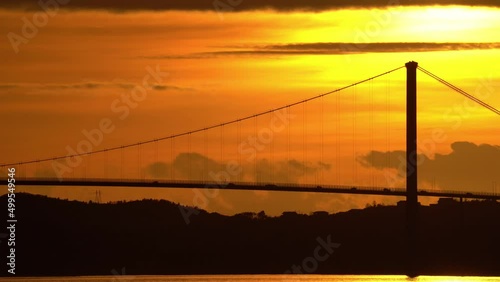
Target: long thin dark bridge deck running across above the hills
[250, 186]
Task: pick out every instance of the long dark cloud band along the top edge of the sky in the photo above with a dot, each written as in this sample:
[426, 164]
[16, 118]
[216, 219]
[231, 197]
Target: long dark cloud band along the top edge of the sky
[242, 5]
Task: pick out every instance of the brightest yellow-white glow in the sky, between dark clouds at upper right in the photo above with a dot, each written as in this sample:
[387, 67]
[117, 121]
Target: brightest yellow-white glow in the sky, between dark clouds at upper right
[403, 24]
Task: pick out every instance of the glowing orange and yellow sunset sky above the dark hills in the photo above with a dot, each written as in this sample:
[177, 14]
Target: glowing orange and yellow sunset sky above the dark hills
[65, 70]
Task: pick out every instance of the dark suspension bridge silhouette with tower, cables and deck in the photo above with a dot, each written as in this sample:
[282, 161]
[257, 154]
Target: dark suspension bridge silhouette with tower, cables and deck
[411, 192]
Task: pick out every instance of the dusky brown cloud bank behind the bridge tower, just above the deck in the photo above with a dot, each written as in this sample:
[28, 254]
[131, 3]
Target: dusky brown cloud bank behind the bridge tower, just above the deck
[467, 167]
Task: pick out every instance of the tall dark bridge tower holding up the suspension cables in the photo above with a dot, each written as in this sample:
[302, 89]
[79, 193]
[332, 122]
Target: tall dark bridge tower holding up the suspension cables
[411, 168]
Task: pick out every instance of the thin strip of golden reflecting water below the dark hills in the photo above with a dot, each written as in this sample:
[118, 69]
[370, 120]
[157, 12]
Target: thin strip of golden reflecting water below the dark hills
[260, 278]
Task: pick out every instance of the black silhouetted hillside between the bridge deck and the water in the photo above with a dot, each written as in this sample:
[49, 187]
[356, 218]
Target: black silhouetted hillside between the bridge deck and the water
[59, 237]
